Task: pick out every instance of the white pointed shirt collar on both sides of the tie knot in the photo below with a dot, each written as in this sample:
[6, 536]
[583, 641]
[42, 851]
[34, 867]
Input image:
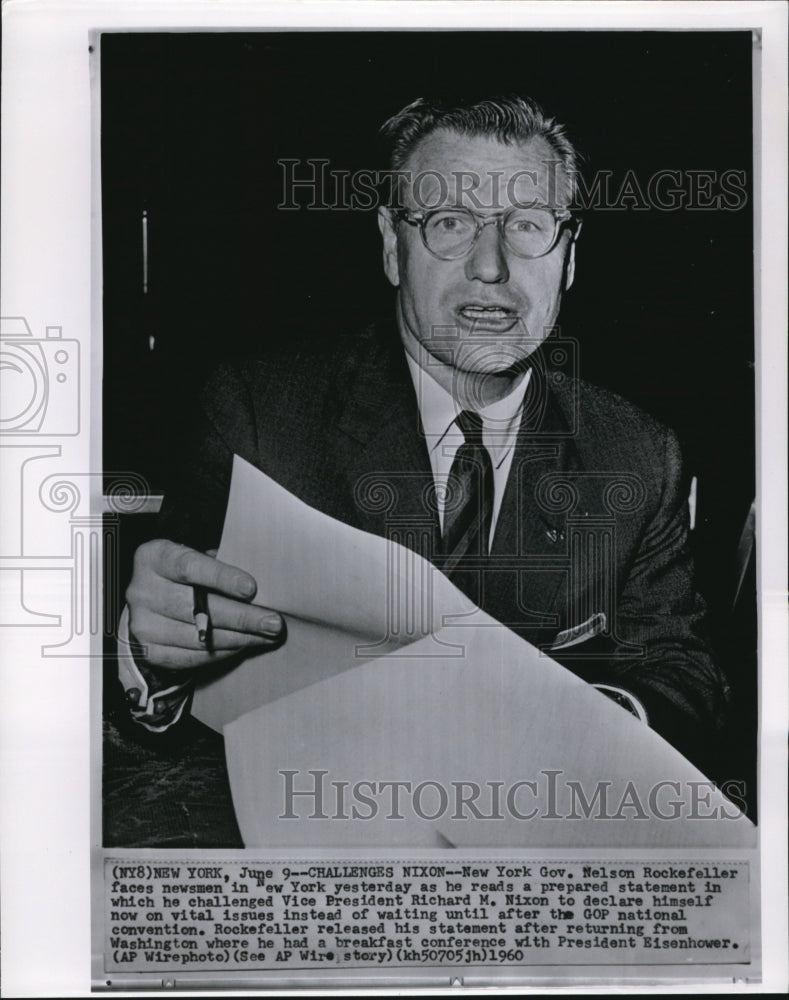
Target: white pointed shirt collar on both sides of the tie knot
[438, 410]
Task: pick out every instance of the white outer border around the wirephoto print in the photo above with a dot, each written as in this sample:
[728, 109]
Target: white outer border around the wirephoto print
[49, 267]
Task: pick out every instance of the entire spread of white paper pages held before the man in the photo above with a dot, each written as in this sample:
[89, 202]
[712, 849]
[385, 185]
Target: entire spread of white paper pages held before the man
[491, 712]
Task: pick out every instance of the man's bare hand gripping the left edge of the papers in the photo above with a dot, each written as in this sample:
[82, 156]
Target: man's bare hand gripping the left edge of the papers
[160, 600]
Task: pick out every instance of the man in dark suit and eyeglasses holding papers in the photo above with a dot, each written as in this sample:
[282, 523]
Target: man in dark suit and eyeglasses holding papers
[559, 508]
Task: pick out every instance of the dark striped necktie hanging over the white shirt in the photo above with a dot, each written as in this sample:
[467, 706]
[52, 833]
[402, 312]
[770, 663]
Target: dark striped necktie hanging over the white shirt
[468, 510]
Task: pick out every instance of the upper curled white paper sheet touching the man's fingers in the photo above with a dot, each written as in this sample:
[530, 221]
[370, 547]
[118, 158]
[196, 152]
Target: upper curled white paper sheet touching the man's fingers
[347, 596]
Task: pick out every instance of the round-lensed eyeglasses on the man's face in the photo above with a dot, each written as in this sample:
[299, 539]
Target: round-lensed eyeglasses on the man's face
[449, 233]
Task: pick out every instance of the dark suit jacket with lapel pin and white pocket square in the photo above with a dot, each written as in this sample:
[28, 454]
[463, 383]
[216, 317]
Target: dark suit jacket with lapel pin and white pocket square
[594, 517]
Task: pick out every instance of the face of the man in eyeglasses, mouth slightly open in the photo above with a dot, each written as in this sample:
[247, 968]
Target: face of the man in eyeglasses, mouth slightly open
[488, 310]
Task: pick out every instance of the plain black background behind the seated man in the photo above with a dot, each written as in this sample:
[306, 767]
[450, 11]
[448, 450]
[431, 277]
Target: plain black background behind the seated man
[193, 126]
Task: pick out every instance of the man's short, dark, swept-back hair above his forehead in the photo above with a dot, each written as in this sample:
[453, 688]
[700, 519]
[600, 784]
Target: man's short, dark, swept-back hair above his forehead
[509, 119]
